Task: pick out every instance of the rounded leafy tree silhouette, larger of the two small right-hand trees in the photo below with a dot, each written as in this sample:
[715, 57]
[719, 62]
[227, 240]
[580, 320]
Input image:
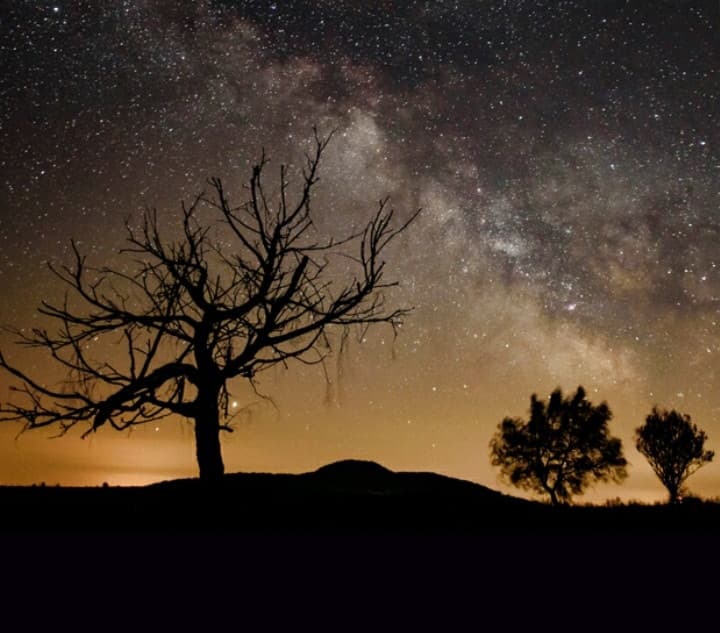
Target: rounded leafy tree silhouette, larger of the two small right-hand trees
[563, 448]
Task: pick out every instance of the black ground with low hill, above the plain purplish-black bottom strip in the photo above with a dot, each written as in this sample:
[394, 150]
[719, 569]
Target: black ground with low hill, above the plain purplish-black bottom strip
[349, 497]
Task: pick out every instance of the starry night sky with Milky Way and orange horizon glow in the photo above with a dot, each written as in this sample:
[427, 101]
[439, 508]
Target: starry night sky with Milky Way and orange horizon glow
[566, 155]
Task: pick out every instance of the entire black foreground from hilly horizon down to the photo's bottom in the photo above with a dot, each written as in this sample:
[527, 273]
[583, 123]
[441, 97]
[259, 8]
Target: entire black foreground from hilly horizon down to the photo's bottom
[351, 537]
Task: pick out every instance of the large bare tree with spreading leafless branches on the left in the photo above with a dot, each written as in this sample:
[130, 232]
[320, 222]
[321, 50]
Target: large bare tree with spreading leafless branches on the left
[186, 316]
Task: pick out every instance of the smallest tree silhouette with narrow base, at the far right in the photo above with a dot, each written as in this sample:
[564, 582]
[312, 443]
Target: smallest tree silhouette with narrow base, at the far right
[674, 448]
